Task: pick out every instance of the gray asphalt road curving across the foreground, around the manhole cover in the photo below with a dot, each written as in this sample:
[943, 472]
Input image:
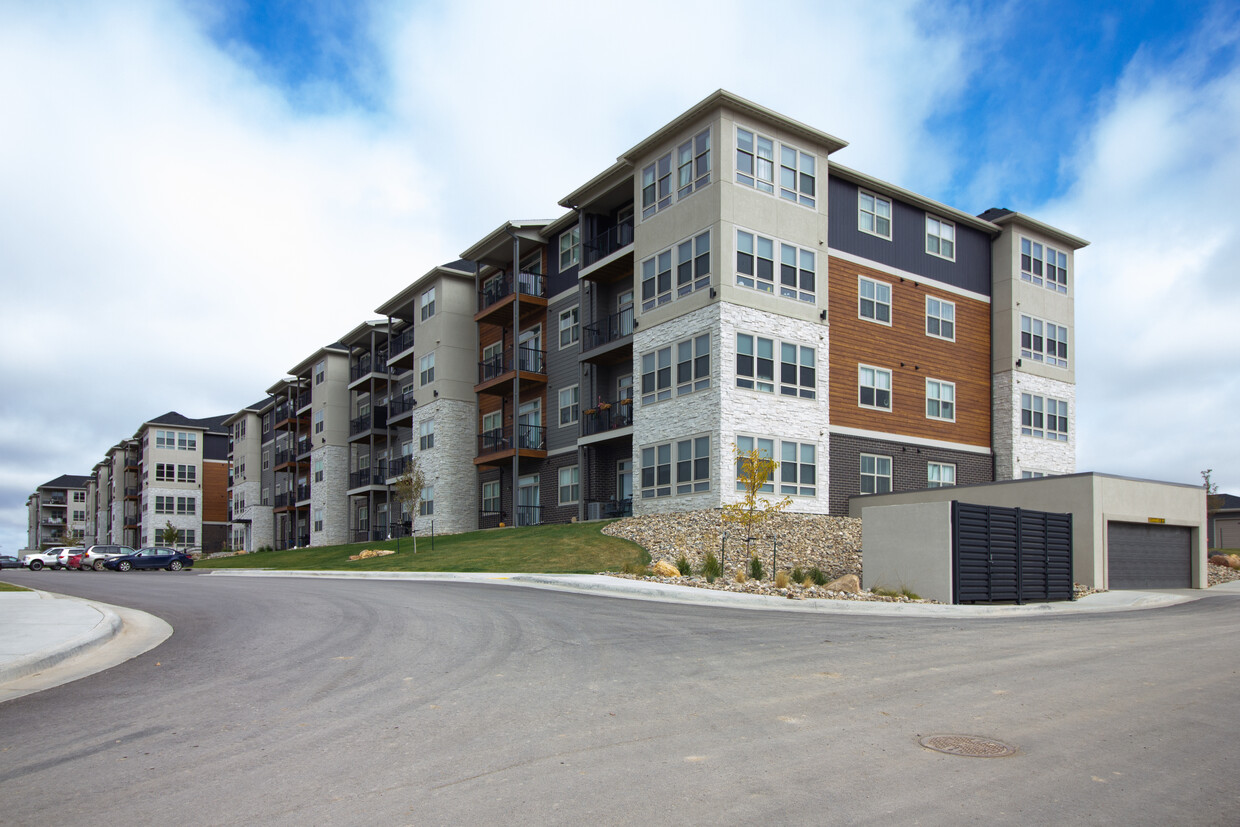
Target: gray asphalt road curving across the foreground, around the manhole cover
[311, 702]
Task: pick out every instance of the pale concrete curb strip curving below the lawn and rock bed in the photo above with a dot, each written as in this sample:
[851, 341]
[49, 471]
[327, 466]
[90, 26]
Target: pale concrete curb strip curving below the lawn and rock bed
[604, 586]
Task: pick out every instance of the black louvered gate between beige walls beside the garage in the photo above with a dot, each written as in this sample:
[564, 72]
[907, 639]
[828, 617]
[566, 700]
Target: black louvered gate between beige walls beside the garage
[1010, 555]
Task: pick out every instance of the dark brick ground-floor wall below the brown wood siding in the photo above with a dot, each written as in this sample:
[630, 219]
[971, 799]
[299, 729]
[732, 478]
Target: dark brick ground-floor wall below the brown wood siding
[908, 467]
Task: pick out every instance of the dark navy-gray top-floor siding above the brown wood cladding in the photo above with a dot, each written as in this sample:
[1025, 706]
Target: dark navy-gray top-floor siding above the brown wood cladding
[907, 251]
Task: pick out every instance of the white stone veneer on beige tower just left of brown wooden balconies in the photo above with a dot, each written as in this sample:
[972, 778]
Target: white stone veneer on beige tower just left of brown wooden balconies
[449, 466]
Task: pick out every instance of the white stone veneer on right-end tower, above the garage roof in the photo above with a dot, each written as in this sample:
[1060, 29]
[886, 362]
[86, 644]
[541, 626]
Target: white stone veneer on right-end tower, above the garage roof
[1015, 452]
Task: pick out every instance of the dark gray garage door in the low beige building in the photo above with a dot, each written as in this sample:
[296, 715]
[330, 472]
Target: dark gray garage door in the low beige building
[1149, 557]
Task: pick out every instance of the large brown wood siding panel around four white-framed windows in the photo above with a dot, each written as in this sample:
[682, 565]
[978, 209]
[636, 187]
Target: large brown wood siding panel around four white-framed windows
[861, 342]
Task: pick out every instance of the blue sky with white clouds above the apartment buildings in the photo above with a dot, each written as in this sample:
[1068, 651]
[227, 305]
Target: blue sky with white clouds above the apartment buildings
[198, 195]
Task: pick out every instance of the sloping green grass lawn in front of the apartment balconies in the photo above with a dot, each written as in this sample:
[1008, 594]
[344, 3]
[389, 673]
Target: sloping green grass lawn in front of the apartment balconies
[573, 549]
